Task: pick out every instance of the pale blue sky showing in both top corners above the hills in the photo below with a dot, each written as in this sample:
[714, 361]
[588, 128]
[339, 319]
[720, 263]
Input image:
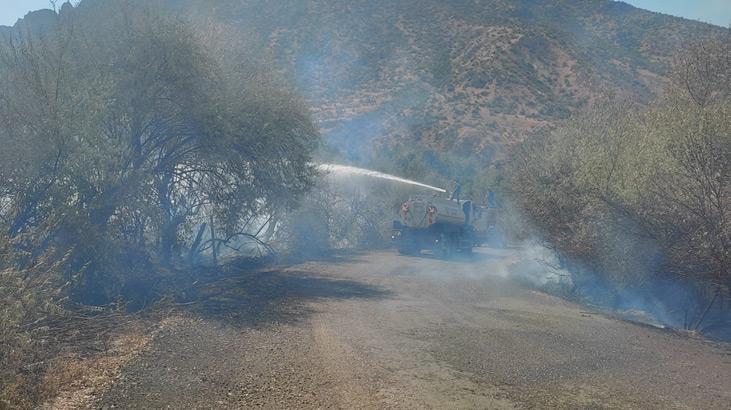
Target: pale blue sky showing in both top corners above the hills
[712, 11]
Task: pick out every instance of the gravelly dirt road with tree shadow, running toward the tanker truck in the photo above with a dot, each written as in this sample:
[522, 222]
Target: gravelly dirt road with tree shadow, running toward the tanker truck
[385, 331]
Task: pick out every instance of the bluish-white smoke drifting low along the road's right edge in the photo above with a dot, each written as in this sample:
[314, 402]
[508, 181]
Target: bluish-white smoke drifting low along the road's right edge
[530, 262]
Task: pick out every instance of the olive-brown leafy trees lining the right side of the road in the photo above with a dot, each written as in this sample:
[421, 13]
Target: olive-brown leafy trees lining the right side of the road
[636, 195]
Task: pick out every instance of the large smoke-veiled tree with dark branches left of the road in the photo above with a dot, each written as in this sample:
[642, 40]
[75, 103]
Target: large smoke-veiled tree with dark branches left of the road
[123, 130]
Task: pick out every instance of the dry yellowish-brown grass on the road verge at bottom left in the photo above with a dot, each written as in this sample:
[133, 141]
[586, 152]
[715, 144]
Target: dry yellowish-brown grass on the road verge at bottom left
[73, 358]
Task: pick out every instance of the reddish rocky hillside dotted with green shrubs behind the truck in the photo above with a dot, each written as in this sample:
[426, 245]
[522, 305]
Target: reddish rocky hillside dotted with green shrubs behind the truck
[467, 76]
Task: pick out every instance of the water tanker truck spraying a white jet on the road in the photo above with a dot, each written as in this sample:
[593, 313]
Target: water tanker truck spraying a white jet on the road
[444, 226]
